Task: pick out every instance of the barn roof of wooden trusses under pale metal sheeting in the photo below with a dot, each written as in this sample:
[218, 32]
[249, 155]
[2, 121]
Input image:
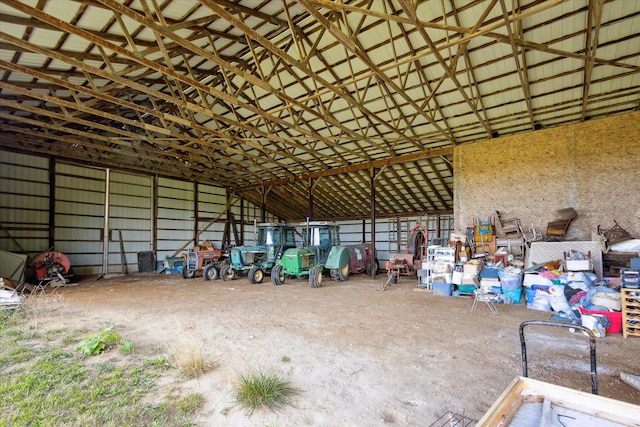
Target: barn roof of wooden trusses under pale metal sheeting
[285, 101]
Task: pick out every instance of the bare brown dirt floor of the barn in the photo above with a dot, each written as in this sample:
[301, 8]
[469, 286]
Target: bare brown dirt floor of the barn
[360, 356]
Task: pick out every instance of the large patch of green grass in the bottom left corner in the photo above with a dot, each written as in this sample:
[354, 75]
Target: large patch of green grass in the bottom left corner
[44, 380]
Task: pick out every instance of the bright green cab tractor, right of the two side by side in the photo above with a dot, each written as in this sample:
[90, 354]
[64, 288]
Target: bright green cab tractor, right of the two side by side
[321, 250]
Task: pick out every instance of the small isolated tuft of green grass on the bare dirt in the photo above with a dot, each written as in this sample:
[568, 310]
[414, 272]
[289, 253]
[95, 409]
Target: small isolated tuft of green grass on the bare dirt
[263, 389]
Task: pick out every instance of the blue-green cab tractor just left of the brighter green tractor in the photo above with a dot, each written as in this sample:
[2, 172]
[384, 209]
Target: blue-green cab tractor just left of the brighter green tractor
[256, 261]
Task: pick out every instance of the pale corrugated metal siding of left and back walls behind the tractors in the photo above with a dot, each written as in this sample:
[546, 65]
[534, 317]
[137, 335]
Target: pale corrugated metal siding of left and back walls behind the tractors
[184, 211]
